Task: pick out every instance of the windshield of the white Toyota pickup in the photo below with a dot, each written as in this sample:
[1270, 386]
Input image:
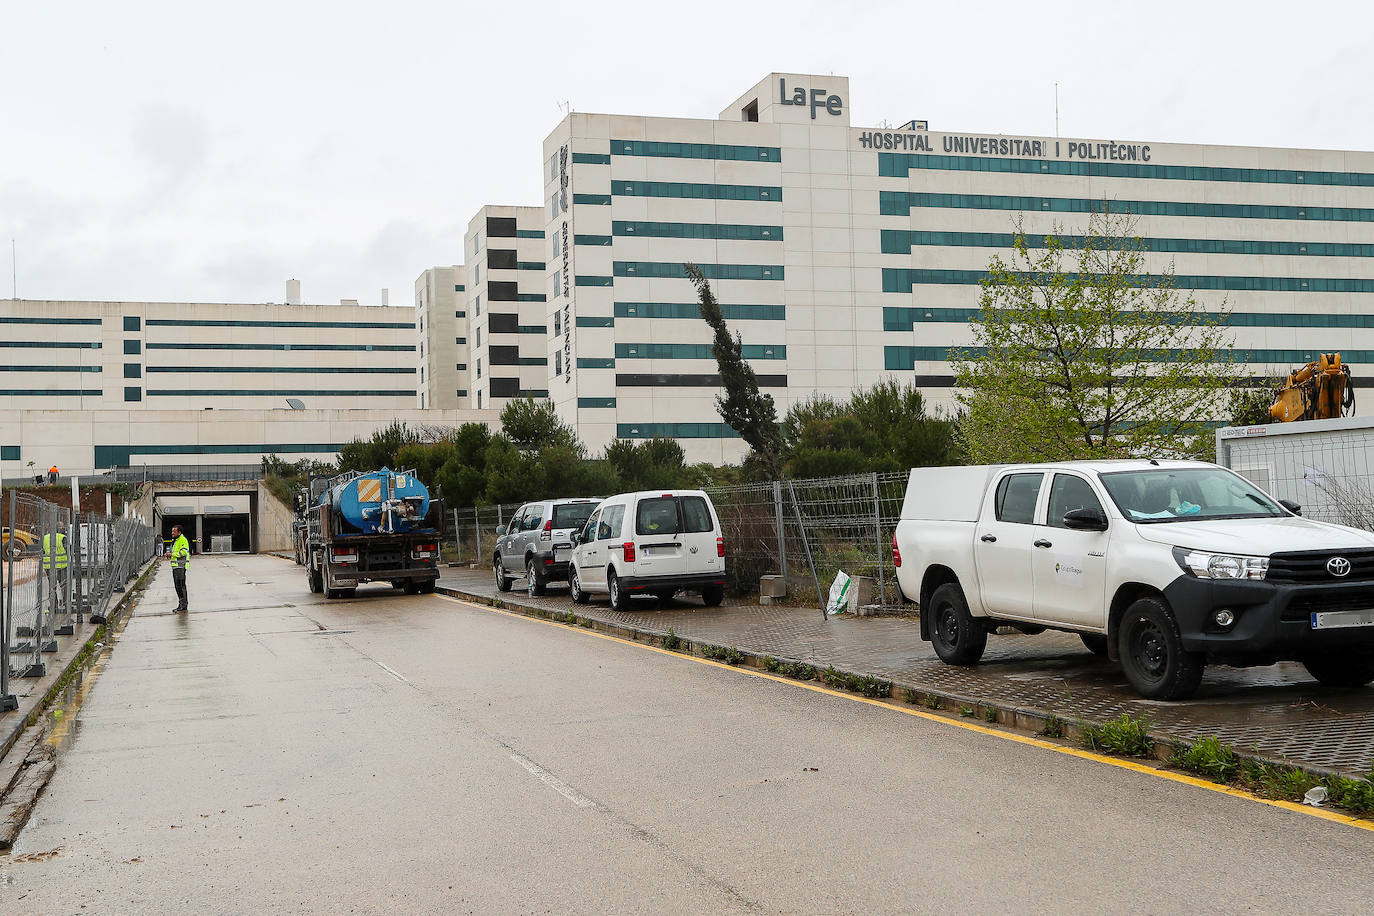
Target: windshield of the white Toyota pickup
[1188, 495]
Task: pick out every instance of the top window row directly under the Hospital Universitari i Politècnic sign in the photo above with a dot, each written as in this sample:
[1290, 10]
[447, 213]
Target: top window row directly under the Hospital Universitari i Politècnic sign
[901, 164]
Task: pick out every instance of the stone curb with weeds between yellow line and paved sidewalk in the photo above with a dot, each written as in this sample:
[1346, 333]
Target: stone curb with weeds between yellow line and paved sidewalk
[990, 712]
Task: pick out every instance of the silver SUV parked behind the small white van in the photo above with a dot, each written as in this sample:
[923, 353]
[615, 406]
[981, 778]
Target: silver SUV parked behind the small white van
[538, 543]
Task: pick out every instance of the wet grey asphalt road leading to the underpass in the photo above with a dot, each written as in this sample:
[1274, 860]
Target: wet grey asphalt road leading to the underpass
[274, 752]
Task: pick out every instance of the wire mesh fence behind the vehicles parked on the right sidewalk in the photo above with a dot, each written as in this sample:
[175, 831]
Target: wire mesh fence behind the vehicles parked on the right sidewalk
[806, 531]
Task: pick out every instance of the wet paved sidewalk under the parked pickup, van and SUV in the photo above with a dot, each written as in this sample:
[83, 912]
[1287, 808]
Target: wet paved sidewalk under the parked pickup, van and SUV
[1276, 712]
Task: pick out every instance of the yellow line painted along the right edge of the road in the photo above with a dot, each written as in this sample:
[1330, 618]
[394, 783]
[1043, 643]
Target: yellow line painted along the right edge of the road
[973, 727]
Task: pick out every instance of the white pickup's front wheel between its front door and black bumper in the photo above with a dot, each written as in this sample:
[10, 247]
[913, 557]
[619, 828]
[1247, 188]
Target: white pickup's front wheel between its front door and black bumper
[1153, 656]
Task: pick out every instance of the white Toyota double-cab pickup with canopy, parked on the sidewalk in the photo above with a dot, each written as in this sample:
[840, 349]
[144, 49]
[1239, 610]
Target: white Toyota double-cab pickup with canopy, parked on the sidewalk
[1164, 566]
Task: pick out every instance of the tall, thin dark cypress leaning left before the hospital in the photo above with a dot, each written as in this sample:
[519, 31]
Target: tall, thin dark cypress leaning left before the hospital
[744, 407]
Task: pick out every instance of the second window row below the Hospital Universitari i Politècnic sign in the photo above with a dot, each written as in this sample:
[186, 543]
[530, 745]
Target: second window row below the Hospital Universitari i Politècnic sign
[902, 204]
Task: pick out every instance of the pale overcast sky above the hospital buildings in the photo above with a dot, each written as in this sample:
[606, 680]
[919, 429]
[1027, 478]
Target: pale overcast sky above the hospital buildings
[197, 152]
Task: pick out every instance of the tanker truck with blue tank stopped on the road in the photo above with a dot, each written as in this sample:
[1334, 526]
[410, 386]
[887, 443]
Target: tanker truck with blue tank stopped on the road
[376, 527]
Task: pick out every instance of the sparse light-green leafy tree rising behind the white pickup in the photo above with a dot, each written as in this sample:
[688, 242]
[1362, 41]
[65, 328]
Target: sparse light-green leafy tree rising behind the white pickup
[1078, 354]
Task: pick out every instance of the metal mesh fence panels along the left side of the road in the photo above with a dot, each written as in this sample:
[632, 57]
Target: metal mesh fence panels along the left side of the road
[61, 569]
